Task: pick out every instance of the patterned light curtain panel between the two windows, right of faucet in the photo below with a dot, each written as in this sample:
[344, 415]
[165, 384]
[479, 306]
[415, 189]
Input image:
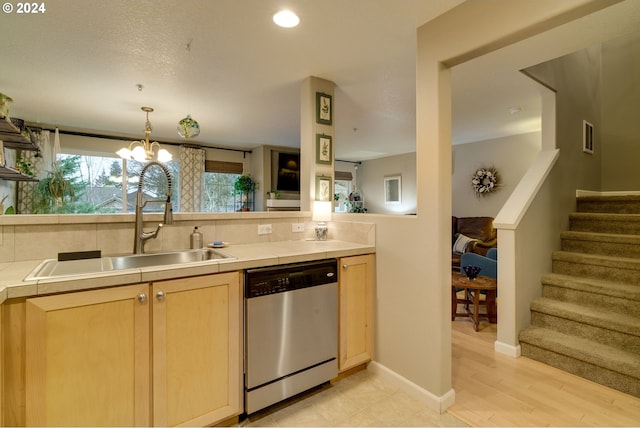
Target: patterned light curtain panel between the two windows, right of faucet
[191, 179]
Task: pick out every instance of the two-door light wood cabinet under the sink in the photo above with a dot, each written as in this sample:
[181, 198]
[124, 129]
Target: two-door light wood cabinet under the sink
[162, 354]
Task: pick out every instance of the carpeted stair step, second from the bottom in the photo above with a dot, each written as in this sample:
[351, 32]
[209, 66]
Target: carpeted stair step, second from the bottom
[615, 329]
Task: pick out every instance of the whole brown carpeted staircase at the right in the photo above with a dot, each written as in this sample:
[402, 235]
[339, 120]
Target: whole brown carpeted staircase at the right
[587, 321]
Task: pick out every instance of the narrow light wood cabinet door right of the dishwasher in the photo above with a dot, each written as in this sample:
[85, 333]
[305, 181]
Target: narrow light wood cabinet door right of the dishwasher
[357, 295]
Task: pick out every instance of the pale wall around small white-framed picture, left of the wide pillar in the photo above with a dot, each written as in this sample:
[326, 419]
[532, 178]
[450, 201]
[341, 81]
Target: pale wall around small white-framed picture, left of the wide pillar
[370, 181]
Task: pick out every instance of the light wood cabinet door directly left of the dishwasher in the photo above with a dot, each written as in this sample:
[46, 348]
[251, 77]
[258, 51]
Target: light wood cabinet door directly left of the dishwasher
[197, 359]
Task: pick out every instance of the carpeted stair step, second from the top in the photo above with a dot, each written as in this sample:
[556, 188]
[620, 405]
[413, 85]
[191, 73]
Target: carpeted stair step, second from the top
[605, 223]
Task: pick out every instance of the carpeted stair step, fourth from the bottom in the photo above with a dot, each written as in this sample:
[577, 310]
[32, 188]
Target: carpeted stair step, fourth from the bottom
[614, 269]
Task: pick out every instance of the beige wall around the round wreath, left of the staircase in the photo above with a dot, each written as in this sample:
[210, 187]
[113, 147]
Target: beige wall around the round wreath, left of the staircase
[511, 156]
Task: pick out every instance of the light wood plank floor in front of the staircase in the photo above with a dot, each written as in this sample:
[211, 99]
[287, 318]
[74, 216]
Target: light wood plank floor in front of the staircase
[496, 390]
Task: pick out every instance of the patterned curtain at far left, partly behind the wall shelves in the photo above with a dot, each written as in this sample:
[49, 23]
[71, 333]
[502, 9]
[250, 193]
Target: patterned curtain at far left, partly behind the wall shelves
[41, 164]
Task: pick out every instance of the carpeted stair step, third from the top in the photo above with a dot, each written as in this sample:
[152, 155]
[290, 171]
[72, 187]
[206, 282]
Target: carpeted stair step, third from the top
[601, 243]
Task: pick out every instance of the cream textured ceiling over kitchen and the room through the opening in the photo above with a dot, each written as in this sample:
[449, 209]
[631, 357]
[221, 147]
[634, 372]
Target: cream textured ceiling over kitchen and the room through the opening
[79, 65]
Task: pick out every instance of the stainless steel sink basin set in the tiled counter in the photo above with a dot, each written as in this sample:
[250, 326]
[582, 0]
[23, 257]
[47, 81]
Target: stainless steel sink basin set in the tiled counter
[53, 268]
